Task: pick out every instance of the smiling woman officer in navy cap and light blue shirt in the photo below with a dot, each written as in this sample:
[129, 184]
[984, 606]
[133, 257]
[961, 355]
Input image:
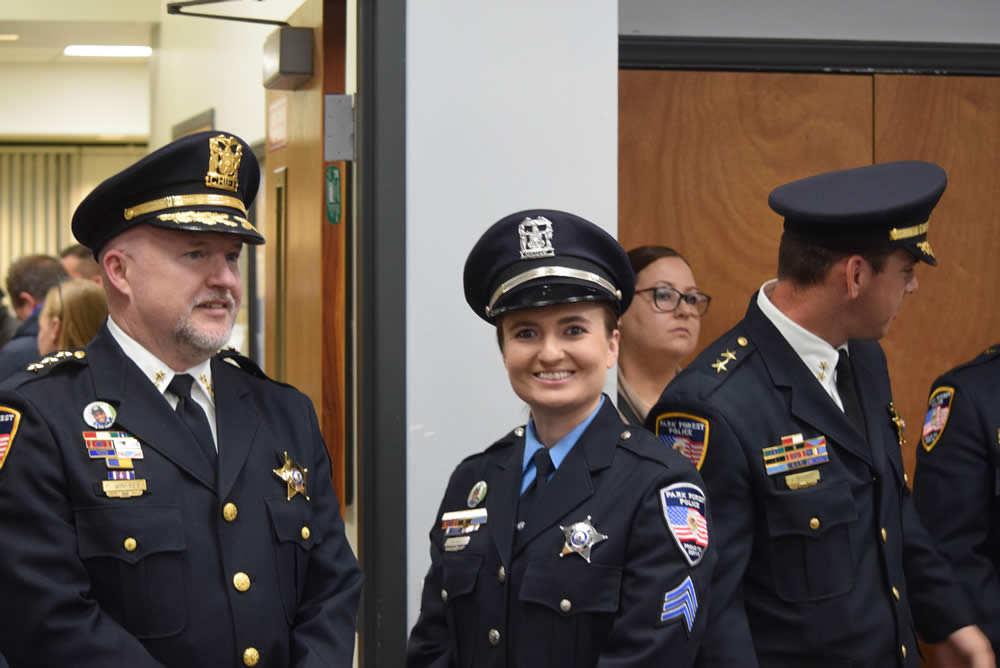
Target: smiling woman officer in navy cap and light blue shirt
[574, 540]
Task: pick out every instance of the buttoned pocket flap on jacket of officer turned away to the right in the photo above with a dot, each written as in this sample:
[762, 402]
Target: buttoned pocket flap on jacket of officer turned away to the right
[811, 511]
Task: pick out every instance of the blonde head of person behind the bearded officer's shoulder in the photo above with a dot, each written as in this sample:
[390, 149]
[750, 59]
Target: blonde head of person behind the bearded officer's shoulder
[72, 313]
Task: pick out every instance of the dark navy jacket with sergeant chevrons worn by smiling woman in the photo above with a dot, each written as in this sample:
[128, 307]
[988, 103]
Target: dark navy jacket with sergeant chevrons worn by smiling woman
[510, 599]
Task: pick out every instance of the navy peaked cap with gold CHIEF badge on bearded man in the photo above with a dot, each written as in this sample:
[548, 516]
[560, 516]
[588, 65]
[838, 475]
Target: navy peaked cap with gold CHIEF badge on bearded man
[203, 182]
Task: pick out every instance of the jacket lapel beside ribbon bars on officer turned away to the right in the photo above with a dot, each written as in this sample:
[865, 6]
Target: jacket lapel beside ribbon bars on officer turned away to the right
[809, 402]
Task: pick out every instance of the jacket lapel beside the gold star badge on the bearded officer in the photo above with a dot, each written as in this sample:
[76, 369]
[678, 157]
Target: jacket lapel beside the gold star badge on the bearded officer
[235, 420]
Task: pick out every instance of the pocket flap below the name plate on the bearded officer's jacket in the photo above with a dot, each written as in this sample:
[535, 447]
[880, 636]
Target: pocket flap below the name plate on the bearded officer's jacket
[128, 533]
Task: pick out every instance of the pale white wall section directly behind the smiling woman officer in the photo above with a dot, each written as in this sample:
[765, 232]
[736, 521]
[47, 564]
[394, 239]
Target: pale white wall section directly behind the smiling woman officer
[509, 106]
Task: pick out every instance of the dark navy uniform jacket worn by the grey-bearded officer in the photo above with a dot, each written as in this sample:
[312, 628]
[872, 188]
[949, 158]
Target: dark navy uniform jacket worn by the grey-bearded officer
[92, 581]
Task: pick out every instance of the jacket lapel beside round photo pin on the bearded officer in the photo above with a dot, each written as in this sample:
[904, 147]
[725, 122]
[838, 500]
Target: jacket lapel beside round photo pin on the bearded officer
[142, 410]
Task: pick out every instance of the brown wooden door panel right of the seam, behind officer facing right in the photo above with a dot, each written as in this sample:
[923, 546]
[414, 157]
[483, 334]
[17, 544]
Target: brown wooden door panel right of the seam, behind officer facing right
[954, 121]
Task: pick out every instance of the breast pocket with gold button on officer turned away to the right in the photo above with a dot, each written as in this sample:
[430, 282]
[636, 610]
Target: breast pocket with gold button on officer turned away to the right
[810, 548]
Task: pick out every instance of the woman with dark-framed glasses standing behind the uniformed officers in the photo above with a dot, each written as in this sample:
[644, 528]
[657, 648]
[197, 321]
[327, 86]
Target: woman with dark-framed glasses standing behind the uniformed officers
[659, 330]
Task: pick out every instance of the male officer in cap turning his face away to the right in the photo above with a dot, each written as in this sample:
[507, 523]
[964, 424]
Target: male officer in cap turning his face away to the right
[789, 417]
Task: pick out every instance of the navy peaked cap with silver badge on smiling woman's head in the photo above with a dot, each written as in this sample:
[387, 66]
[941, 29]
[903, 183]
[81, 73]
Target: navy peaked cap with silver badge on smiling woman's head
[542, 257]
